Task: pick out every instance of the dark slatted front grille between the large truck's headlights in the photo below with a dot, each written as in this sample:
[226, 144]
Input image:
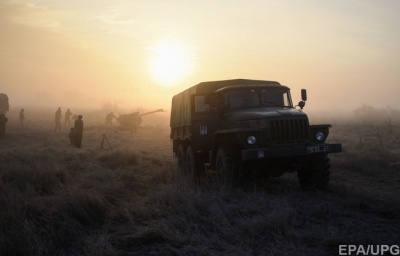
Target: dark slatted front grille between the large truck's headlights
[289, 130]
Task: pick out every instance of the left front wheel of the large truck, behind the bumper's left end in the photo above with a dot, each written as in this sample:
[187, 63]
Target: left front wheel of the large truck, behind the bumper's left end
[226, 166]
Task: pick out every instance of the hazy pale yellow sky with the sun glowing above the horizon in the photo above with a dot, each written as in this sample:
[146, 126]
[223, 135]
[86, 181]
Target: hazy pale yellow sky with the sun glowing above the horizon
[140, 53]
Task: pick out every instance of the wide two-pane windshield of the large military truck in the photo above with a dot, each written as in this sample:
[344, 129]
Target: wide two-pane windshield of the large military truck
[257, 98]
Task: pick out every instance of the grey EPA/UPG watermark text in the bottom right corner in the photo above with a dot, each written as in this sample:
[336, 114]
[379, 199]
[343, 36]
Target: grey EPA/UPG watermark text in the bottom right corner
[351, 249]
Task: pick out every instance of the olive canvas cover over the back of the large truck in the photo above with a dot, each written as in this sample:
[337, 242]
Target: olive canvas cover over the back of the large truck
[180, 109]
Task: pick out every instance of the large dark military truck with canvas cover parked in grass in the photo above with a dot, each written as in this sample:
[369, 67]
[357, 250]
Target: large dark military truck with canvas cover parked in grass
[244, 128]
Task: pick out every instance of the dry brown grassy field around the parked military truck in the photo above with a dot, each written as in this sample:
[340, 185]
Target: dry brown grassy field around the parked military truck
[59, 200]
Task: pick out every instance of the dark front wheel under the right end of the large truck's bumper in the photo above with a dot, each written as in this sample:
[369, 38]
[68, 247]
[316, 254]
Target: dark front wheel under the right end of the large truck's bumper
[316, 174]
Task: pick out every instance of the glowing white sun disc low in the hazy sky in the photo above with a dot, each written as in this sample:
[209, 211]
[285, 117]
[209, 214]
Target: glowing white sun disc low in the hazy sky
[169, 63]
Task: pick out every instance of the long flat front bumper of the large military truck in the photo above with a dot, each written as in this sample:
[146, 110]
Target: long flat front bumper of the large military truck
[303, 150]
